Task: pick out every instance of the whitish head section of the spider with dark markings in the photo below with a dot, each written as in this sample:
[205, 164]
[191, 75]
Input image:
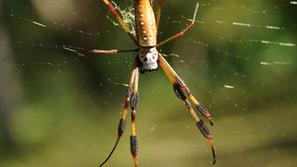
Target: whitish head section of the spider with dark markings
[148, 58]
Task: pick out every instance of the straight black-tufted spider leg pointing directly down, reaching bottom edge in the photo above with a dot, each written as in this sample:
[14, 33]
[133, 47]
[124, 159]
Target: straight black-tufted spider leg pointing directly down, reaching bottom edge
[133, 104]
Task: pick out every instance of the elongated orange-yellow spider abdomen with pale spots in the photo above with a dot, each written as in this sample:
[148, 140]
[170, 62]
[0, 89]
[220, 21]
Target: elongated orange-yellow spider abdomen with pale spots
[145, 23]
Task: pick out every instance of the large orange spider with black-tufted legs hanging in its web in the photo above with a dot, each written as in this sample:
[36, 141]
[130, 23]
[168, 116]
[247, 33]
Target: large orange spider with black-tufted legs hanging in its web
[147, 59]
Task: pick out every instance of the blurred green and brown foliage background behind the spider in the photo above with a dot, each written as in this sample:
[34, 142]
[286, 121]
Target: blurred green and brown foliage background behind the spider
[60, 109]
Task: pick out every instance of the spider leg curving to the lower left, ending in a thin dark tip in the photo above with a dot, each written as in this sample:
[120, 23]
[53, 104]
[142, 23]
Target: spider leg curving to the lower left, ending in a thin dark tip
[122, 122]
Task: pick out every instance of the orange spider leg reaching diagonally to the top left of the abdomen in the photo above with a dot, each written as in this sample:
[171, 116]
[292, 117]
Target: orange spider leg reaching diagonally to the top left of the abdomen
[120, 20]
